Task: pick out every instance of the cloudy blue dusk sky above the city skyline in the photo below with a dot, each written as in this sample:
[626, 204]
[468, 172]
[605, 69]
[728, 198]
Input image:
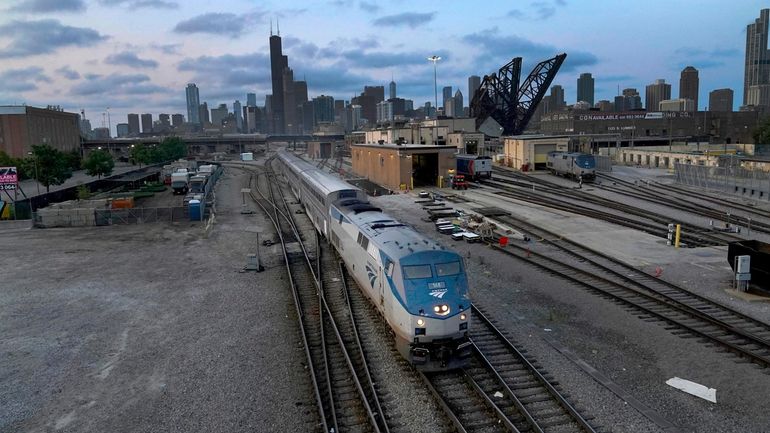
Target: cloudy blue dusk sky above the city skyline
[138, 55]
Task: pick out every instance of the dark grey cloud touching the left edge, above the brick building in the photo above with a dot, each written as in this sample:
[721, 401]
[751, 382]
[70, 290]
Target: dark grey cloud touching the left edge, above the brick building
[30, 38]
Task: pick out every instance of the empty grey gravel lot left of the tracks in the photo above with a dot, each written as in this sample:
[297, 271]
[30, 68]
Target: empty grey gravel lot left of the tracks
[148, 328]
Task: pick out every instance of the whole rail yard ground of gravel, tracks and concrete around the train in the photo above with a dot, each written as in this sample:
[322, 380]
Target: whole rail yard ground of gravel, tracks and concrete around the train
[575, 325]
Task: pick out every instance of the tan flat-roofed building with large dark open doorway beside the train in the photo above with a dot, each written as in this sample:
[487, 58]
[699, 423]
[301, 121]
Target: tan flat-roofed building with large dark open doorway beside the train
[403, 166]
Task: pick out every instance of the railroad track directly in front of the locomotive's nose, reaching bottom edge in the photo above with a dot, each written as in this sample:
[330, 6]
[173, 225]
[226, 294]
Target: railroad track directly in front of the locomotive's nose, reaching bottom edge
[502, 390]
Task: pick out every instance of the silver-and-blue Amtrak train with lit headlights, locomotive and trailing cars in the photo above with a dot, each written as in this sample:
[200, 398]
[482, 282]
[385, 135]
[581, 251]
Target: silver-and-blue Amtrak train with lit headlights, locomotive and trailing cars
[419, 287]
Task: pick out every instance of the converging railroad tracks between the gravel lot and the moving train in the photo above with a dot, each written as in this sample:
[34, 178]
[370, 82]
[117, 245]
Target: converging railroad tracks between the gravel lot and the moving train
[343, 402]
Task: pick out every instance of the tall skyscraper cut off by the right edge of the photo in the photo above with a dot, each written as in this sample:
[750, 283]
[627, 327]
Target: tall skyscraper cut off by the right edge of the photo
[757, 65]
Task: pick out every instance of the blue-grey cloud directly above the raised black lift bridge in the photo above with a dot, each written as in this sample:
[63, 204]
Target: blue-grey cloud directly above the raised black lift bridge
[499, 48]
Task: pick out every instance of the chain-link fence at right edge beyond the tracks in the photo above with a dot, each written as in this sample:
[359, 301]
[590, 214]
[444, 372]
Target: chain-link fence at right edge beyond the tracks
[731, 178]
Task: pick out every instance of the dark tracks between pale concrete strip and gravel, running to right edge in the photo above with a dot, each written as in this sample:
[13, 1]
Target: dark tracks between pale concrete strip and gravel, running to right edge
[652, 298]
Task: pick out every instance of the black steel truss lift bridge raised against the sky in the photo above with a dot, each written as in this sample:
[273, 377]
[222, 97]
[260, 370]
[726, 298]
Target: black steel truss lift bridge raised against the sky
[503, 106]
